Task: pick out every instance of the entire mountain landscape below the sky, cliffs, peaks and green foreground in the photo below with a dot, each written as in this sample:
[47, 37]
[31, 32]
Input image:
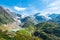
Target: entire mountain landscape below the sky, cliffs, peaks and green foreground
[35, 26]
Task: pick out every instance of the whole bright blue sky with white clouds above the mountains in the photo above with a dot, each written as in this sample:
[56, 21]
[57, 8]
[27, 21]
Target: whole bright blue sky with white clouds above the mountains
[30, 7]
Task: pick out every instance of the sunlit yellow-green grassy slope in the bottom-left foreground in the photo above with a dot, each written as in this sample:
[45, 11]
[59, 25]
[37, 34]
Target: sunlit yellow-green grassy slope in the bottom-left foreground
[19, 35]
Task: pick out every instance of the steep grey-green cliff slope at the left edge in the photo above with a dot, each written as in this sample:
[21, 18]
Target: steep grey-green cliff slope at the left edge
[5, 17]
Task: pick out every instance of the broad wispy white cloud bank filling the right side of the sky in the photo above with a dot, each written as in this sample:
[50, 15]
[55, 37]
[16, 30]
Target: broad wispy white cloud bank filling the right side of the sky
[53, 7]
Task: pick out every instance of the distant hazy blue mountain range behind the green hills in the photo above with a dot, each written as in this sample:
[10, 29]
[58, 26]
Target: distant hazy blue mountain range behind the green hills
[37, 18]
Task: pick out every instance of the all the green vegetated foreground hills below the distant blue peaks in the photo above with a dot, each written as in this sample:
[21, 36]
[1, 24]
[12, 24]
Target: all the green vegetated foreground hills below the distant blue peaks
[41, 31]
